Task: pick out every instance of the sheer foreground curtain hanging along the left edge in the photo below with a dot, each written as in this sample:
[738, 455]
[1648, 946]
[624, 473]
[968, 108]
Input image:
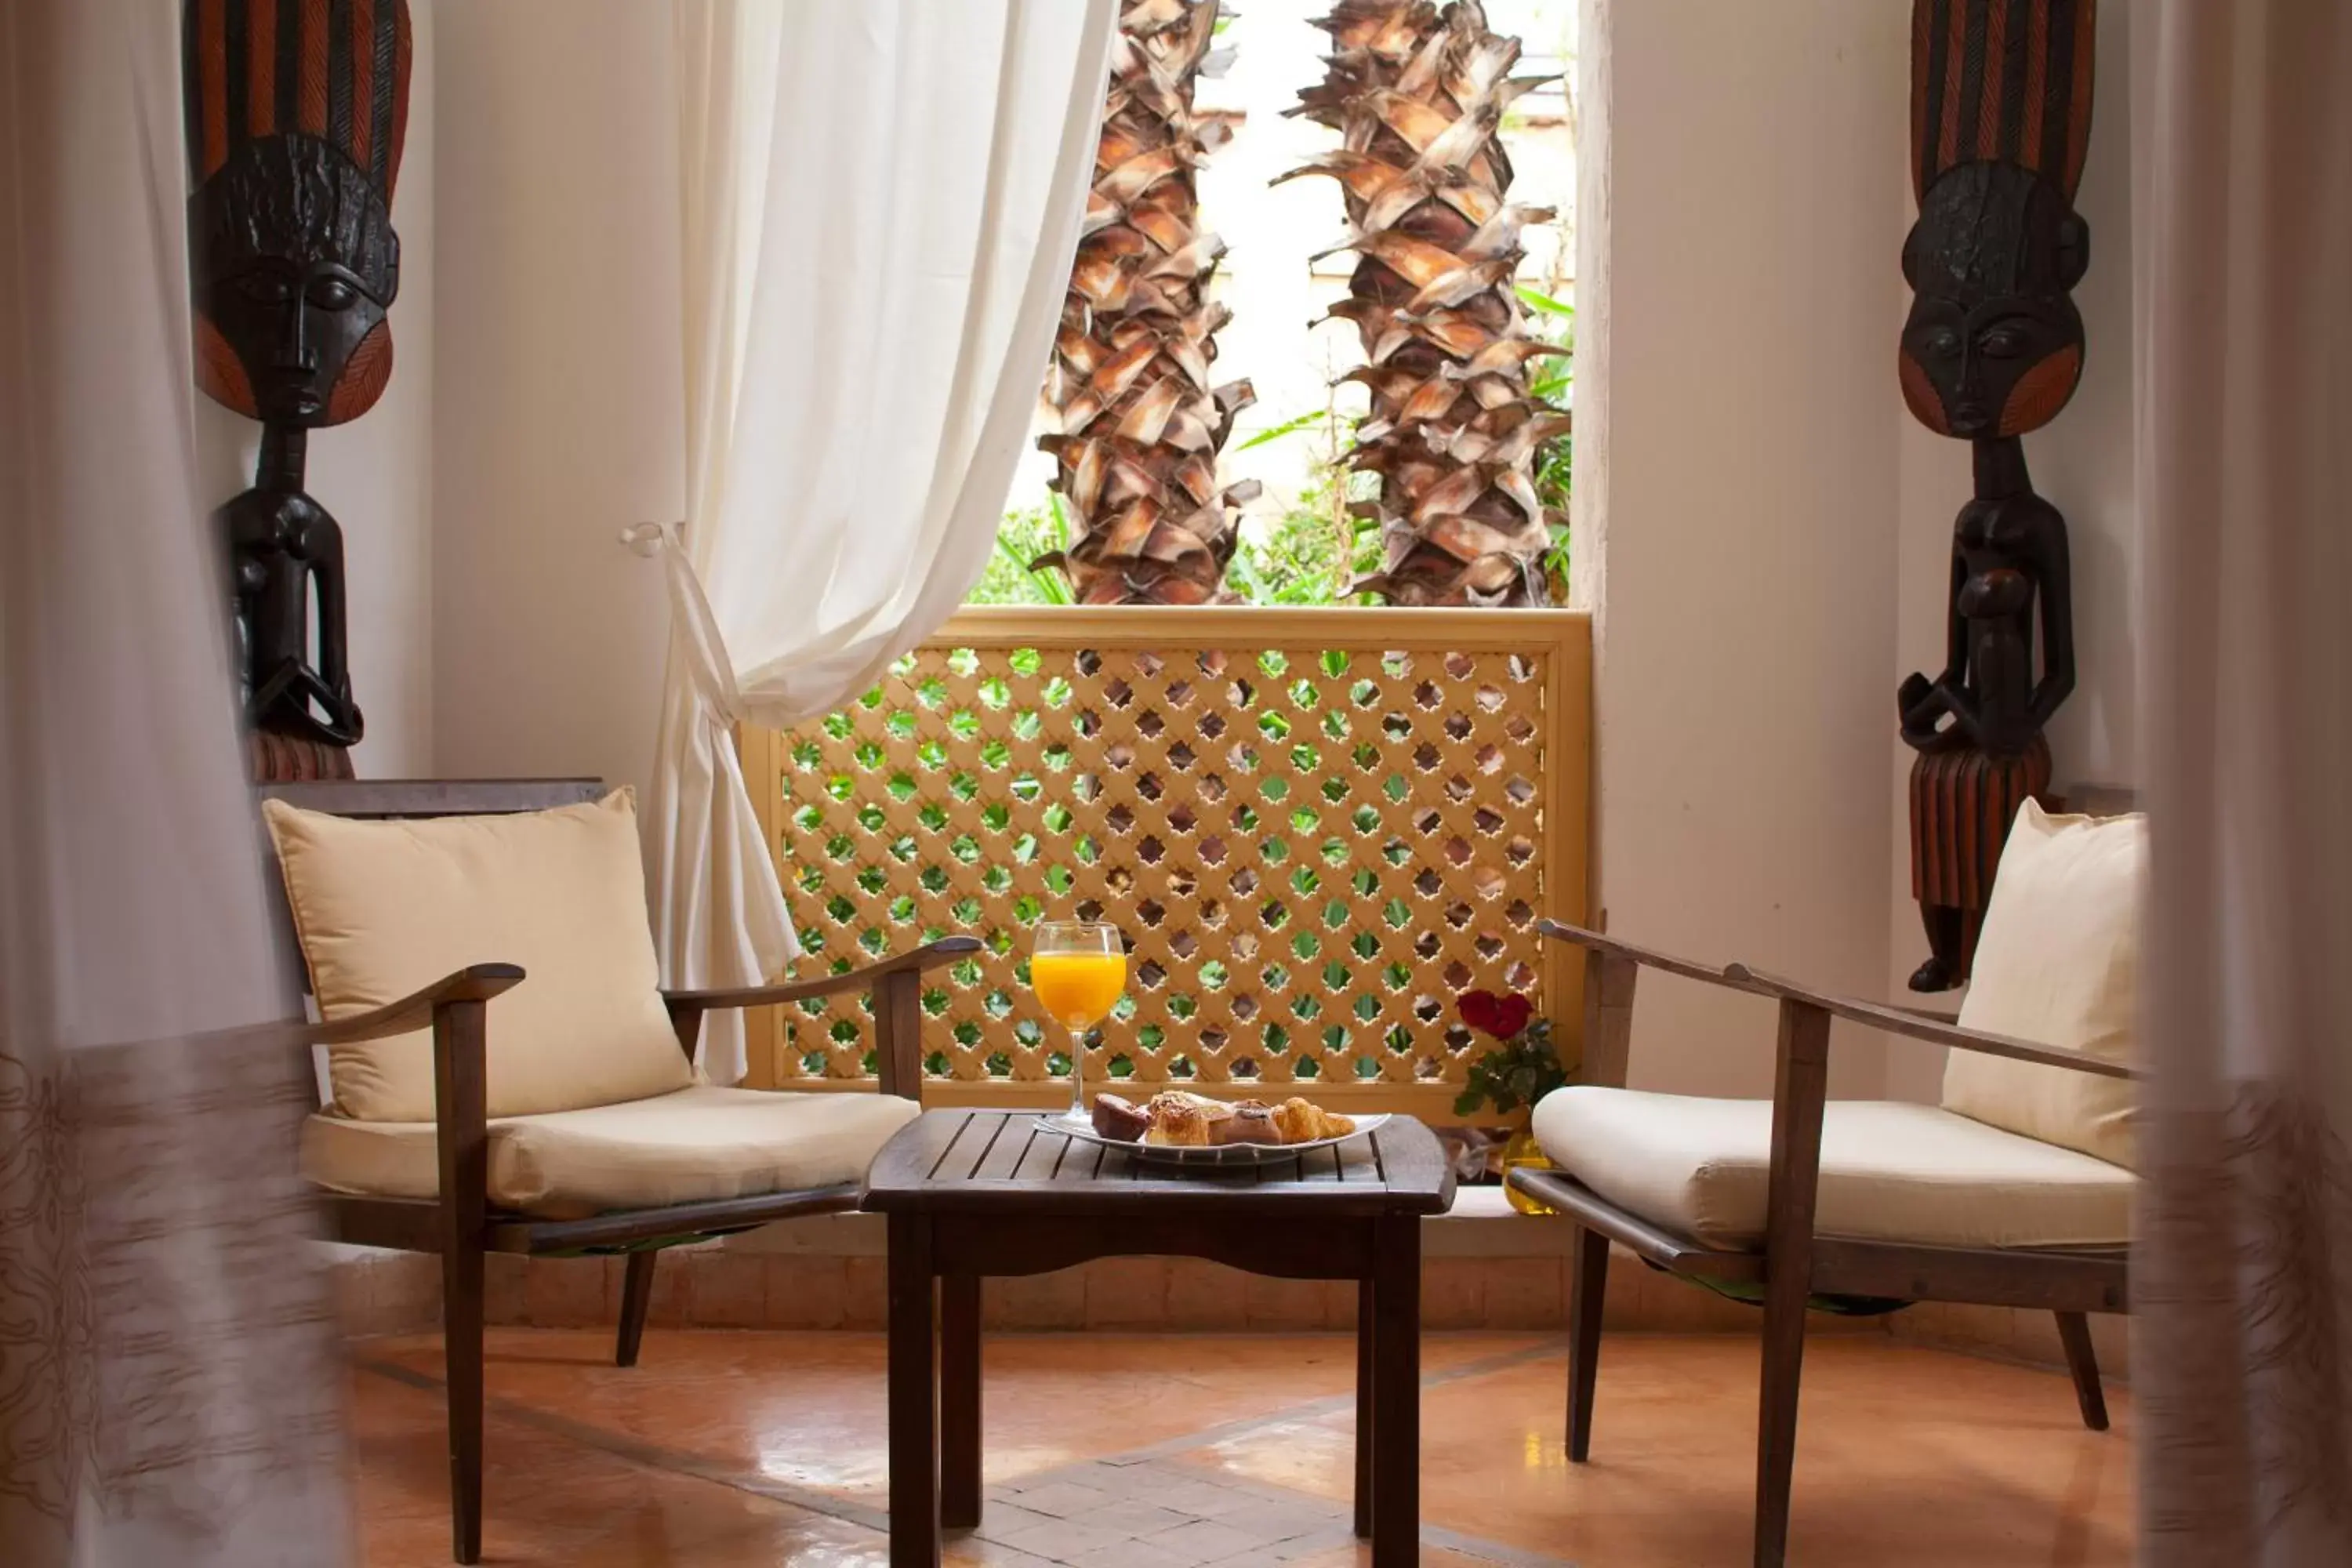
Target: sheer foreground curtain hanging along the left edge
[168, 1374]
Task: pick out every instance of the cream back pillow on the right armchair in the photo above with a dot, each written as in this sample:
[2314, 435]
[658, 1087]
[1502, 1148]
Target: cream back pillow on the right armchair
[2059, 965]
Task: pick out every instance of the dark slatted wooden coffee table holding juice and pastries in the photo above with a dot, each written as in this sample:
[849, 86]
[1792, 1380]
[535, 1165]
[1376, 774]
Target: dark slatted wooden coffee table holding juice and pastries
[977, 1193]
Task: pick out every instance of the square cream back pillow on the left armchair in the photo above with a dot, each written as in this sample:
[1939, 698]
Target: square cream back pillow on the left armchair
[389, 906]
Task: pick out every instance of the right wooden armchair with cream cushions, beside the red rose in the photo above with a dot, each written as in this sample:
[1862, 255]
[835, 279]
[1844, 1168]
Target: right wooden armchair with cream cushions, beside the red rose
[1805, 1198]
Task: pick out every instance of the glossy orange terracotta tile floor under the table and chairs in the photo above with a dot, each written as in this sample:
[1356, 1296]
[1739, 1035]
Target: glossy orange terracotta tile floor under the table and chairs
[733, 1449]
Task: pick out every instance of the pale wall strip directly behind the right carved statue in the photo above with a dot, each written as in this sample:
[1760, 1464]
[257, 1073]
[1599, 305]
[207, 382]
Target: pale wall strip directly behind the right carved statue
[2085, 464]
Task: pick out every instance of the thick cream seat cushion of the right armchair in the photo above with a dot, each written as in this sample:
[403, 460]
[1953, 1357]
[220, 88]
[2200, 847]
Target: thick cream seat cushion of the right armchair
[1890, 1172]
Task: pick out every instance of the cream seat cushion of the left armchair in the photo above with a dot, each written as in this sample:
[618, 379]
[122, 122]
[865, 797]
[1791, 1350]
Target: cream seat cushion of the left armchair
[676, 1148]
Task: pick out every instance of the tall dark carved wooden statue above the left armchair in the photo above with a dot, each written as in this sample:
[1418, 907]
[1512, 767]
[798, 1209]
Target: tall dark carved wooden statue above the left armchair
[298, 112]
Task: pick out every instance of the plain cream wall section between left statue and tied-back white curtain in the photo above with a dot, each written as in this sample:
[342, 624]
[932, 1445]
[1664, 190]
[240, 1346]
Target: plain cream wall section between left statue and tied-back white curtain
[559, 415]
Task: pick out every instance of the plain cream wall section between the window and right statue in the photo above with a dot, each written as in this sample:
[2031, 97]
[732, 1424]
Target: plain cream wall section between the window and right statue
[1749, 260]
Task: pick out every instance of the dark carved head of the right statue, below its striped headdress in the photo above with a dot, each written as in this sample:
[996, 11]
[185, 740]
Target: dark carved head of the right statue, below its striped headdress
[1993, 344]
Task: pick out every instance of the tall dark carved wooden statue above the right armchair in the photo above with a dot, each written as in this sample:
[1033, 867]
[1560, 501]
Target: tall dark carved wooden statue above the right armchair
[1991, 351]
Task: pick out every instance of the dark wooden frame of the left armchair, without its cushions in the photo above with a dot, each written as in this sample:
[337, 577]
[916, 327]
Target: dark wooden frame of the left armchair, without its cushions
[462, 1224]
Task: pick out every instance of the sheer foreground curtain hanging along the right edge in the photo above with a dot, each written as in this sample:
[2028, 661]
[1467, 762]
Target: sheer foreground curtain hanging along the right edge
[2243, 1287]
